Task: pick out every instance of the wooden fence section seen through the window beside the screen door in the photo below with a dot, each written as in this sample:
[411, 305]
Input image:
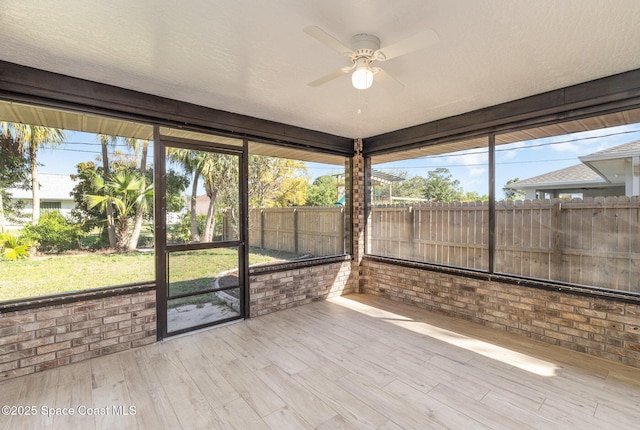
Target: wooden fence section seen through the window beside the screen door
[313, 231]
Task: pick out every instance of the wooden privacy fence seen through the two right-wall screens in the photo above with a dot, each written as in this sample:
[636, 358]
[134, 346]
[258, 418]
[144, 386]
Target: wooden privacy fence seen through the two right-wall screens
[595, 241]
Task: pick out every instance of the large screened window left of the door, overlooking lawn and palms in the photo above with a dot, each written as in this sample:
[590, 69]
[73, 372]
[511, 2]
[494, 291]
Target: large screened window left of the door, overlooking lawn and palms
[77, 202]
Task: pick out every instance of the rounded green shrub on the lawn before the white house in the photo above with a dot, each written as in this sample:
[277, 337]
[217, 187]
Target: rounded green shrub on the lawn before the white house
[54, 233]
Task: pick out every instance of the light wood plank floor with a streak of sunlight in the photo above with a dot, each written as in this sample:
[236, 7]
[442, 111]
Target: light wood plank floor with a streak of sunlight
[353, 362]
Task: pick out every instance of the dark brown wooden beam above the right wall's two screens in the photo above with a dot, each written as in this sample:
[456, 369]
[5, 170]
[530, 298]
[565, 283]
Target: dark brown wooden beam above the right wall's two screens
[600, 96]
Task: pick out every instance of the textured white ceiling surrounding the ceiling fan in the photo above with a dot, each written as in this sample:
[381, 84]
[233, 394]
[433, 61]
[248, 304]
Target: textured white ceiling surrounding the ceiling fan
[252, 57]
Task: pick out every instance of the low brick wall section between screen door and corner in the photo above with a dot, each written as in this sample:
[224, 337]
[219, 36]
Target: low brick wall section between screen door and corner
[274, 291]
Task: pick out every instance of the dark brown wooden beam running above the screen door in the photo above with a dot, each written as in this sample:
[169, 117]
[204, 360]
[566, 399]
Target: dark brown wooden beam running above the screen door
[29, 85]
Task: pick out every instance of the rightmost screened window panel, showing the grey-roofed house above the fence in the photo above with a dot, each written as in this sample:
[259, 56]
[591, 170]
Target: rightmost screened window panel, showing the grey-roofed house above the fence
[569, 202]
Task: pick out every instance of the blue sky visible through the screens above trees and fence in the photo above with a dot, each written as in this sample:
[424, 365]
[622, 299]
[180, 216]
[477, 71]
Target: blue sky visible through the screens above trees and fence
[518, 160]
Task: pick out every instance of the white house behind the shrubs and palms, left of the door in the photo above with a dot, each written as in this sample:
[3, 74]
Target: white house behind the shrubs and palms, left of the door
[55, 194]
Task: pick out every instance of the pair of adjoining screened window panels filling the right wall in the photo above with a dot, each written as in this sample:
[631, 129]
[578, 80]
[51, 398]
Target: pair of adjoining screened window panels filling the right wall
[566, 209]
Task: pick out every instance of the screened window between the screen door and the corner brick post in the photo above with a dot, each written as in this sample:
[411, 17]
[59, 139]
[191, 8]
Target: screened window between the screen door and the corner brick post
[298, 204]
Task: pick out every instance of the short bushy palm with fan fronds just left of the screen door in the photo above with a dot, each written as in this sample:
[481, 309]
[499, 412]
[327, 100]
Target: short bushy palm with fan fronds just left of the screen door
[125, 194]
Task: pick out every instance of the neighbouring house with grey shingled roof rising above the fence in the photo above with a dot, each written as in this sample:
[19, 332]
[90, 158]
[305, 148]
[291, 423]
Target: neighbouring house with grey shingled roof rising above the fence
[610, 172]
